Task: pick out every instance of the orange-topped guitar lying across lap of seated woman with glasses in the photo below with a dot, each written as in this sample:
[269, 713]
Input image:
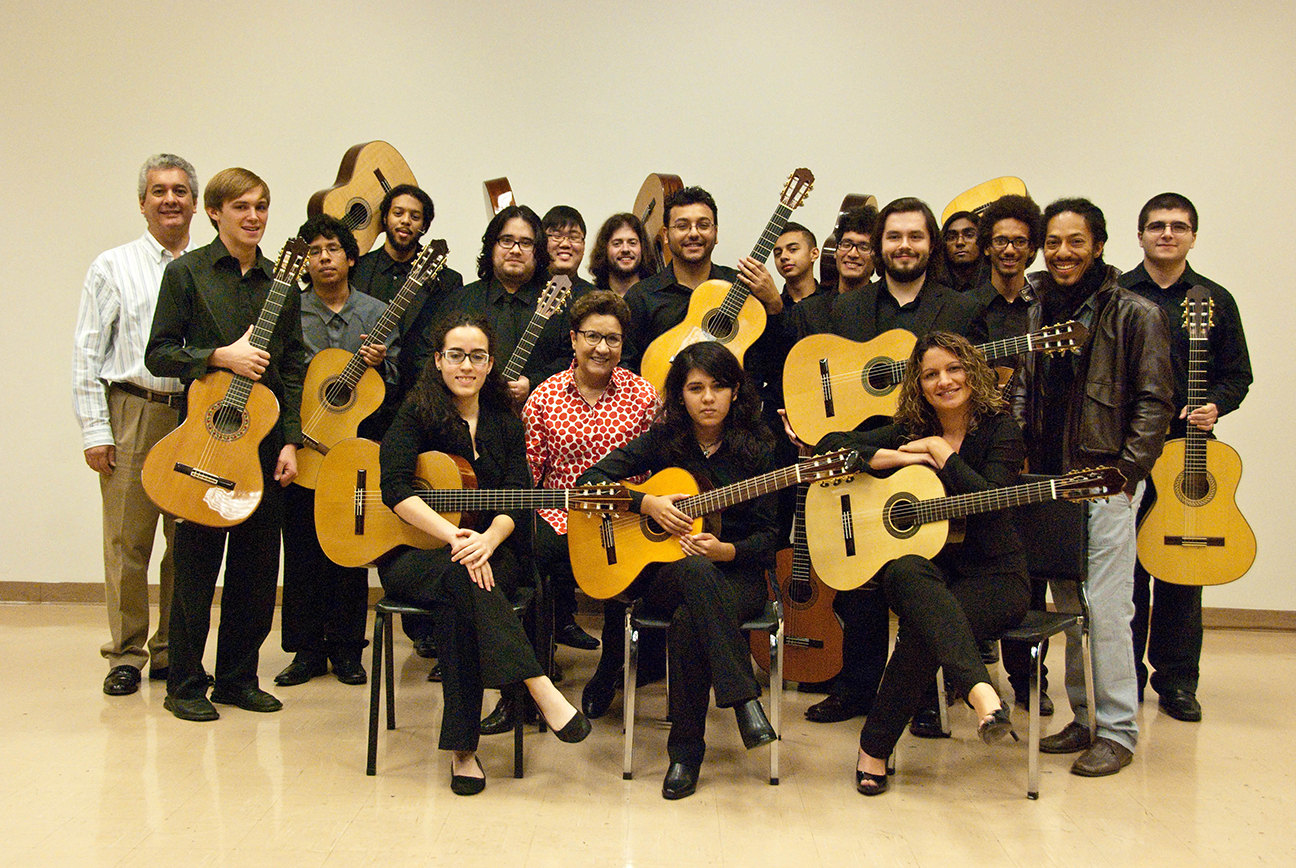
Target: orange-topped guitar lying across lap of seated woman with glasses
[356, 528]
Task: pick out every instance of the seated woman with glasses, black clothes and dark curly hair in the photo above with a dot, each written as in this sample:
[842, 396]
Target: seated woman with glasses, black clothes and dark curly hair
[461, 406]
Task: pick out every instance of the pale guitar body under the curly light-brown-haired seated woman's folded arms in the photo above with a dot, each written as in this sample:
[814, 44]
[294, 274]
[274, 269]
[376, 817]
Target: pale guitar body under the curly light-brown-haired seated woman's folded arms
[865, 506]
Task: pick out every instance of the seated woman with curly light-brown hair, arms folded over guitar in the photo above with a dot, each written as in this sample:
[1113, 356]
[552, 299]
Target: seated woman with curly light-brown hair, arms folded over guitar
[953, 419]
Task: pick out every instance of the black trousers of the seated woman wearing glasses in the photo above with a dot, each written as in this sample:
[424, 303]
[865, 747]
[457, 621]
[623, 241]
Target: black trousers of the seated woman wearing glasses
[481, 643]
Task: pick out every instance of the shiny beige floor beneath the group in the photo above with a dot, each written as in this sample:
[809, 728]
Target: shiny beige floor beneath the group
[94, 781]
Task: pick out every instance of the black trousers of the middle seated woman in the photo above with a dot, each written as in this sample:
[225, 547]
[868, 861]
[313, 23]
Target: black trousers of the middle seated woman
[707, 606]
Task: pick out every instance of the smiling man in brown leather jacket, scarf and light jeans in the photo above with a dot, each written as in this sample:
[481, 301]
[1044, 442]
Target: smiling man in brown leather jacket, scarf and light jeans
[1109, 405]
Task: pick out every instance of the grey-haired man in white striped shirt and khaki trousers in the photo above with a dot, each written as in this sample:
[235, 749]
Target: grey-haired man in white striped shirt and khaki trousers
[124, 411]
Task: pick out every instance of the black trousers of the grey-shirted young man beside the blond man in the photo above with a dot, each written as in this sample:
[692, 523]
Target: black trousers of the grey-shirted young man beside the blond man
[326, 606]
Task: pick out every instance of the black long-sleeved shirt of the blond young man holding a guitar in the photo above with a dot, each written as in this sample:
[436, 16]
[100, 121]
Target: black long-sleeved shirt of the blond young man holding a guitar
[207, 303]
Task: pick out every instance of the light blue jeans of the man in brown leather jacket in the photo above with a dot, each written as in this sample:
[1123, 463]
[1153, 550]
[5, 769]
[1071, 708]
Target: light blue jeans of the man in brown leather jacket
[1113, 554]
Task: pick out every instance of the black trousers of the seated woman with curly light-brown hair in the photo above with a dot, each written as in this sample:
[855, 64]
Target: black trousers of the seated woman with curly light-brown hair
[942, 620]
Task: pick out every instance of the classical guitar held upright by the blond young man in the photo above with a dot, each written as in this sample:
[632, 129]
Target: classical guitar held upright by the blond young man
[208, 471]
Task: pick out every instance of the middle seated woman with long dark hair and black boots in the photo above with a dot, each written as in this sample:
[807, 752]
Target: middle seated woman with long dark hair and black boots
[710, 424]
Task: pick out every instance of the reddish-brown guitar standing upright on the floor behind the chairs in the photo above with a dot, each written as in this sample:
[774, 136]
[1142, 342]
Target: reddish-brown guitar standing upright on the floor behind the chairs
[812, 634]
